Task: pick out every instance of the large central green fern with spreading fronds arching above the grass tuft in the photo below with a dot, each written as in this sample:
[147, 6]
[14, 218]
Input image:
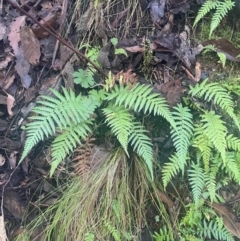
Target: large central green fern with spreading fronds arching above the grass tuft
[70, 115]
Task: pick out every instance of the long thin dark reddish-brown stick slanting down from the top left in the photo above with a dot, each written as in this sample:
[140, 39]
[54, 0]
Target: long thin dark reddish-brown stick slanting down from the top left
[63, 41]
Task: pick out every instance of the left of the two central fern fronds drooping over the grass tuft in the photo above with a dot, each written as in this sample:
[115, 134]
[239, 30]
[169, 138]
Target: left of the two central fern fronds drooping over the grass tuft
[121, 122]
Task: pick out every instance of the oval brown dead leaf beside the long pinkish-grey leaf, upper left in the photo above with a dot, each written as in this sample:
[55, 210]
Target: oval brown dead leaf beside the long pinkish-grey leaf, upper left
[30, 45]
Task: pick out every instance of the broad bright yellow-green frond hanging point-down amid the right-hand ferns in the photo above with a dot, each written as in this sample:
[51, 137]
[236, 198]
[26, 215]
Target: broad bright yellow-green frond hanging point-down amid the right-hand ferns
[214, 128]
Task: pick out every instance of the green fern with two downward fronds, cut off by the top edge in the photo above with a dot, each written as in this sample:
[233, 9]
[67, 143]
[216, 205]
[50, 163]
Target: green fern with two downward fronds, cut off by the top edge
[221, 7]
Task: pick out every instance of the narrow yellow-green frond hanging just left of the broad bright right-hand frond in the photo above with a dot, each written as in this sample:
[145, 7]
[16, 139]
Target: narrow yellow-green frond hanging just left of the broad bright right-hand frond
[202, 142]
